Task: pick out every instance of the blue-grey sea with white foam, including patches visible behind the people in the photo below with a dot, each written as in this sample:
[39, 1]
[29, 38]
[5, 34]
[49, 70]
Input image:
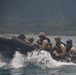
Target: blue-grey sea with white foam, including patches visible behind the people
[38, 62]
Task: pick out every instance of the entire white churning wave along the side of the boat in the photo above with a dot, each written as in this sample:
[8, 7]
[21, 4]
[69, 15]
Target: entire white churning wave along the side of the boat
[38, 58]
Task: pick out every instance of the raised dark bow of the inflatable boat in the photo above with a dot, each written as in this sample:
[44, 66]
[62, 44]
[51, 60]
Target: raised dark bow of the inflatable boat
[9, 45]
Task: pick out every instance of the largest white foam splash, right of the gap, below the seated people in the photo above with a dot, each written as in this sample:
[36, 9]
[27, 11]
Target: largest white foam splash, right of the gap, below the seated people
[44, 59]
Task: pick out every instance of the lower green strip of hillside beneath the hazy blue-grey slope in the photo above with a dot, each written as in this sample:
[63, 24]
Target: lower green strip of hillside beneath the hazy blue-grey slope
[52, 27]
